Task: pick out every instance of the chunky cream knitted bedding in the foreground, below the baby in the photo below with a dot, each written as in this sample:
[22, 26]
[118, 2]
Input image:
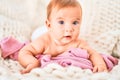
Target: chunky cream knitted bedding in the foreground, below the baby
[10, 70]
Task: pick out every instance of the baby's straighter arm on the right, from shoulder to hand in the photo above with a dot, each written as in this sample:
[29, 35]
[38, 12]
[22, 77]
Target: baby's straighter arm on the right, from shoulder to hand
[96, 58]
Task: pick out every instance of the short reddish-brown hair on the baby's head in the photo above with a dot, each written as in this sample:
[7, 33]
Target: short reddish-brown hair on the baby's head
[61, 4]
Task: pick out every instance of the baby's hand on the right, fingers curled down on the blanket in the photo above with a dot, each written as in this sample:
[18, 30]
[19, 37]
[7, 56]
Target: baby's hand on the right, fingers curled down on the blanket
[100, 68]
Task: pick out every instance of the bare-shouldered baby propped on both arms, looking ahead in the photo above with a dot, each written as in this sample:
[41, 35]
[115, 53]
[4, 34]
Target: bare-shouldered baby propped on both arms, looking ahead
[63, 23]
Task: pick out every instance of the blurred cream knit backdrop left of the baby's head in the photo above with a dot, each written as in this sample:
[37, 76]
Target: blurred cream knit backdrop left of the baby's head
[19, 18]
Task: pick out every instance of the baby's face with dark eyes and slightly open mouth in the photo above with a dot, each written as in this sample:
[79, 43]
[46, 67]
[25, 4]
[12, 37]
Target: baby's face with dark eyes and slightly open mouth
[64, 24]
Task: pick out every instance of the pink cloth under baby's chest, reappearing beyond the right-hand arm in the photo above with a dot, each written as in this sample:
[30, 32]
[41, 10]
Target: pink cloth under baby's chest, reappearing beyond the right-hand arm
[76, 57]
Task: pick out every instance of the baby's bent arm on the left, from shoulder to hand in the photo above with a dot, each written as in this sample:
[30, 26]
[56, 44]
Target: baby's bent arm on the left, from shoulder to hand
[26, 56]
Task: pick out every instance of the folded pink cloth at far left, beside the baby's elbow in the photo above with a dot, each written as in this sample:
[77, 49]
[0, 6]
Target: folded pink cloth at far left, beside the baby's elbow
[10, 47]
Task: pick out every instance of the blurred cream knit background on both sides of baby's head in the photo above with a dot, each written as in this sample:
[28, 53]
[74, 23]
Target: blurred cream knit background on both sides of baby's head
[100, 24]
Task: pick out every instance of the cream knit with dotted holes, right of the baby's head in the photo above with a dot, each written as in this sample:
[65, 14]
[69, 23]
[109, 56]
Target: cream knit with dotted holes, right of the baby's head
[103, 27]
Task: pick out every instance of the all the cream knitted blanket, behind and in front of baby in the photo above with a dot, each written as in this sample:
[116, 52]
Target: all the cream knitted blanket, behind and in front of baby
[100, 27]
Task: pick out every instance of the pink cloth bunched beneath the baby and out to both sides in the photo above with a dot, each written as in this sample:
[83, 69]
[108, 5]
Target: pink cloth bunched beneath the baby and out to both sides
[73, 57]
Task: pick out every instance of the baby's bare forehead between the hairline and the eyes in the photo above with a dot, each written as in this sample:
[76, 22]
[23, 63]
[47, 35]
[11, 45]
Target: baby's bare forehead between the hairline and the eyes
[66, 13]
